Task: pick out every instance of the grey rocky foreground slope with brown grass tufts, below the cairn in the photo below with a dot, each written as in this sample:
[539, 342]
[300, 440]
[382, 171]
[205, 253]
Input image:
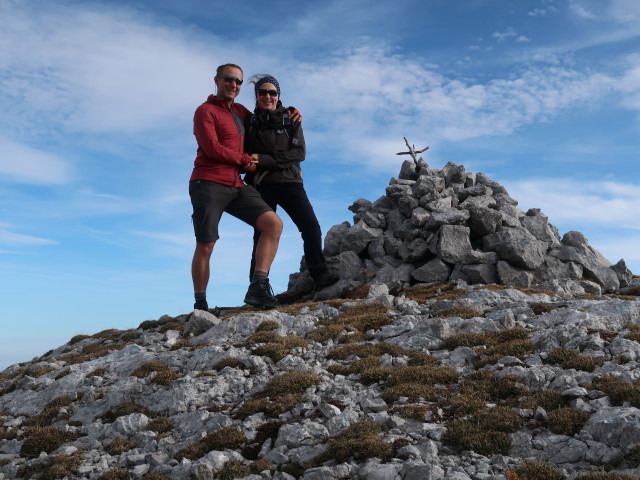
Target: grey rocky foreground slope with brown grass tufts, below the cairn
[180, 398]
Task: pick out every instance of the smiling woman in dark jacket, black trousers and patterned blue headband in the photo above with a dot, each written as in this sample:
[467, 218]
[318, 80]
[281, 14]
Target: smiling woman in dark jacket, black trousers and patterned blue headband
[279, 144]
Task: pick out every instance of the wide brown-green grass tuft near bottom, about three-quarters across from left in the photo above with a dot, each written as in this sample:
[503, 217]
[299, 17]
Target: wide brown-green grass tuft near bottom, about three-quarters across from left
[486, 432]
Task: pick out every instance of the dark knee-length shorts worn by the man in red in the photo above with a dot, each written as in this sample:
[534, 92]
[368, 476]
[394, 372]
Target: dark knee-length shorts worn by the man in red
[210, 199]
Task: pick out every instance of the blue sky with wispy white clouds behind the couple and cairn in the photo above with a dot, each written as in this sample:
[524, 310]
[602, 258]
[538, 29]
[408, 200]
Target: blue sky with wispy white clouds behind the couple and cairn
[96, 143]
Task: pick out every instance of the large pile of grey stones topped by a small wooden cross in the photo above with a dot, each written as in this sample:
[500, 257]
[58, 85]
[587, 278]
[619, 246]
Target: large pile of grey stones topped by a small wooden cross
[447, 225]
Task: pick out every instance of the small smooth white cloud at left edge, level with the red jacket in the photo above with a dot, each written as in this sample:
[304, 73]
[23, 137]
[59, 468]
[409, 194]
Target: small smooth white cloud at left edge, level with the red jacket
[23, 164]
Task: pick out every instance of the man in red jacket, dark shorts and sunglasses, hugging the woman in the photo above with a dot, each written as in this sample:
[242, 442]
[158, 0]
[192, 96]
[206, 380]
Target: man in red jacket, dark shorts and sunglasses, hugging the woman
[215, 186]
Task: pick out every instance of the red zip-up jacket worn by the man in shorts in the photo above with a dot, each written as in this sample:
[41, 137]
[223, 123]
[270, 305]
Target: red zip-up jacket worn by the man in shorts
[220, 136]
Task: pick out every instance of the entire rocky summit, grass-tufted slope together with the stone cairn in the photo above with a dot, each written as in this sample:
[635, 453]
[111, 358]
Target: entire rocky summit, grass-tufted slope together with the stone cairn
[464, 340]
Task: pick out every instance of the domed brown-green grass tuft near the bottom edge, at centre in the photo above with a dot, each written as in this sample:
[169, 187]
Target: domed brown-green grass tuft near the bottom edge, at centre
[361, 441]
